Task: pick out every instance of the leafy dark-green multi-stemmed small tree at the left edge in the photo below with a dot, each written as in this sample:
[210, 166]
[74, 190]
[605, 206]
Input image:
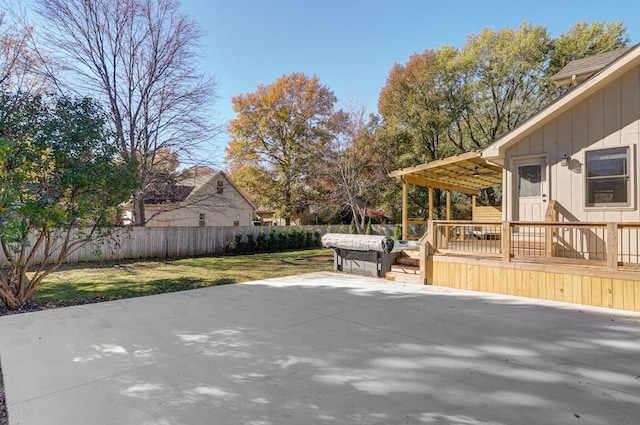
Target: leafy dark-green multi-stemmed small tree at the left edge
[60, 186]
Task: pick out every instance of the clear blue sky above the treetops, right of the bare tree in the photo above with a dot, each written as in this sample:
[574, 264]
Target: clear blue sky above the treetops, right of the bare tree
[351, 45]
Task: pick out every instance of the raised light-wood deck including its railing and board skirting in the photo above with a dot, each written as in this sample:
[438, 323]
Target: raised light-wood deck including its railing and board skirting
[541, 267]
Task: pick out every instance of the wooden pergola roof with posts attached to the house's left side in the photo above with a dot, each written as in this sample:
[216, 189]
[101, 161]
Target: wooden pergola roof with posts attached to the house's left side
[464, 173]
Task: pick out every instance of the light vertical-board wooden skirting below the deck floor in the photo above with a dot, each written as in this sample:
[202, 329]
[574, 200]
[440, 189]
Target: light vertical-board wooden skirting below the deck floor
[593, 286]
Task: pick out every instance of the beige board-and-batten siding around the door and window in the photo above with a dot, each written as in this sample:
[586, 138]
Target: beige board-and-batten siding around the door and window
[608, 118]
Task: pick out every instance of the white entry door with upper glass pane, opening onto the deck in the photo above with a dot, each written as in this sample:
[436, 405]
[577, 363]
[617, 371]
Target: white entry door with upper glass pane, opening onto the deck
[531, 189]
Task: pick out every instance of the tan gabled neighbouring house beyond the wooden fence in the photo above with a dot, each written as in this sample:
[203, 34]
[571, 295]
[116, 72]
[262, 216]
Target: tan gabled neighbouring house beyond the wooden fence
[207, 199]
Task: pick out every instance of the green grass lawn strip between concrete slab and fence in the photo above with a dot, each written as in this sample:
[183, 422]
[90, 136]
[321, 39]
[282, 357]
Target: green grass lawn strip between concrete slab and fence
[101, 281]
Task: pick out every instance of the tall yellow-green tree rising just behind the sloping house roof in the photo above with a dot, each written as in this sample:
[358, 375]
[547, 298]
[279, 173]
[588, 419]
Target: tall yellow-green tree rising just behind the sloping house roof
[504, 72]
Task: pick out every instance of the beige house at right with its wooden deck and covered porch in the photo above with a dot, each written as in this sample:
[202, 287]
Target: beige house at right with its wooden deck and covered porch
[569, 225]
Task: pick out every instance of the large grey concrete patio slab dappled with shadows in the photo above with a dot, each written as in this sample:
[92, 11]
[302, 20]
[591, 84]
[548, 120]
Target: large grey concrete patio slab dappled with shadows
[322, 348]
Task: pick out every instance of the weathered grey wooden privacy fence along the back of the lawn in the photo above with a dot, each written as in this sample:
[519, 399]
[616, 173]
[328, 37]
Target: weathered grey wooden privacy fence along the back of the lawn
[165, 242]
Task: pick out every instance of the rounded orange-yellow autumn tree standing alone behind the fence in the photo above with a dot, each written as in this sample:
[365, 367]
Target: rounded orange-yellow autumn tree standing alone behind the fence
[280, 132]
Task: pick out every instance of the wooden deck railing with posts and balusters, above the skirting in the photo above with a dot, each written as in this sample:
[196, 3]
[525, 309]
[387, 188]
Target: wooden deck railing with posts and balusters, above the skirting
[604, 244]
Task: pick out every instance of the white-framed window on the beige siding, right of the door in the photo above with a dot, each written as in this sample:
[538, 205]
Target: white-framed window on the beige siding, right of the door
[607, 178]
